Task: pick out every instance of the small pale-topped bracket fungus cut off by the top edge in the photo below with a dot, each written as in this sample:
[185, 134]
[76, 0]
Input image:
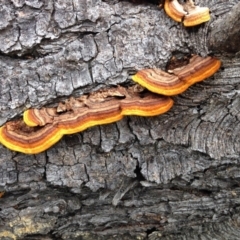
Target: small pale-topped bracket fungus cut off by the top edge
[187, 13]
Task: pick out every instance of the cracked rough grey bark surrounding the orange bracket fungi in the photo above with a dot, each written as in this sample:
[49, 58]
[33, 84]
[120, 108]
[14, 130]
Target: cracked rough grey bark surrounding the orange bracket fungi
[174, 176]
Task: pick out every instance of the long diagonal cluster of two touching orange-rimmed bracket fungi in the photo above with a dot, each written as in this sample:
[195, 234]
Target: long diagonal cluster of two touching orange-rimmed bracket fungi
[41, 128]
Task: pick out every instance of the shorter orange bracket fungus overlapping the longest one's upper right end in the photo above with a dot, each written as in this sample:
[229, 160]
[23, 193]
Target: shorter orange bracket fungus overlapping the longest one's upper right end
[158, 81]
